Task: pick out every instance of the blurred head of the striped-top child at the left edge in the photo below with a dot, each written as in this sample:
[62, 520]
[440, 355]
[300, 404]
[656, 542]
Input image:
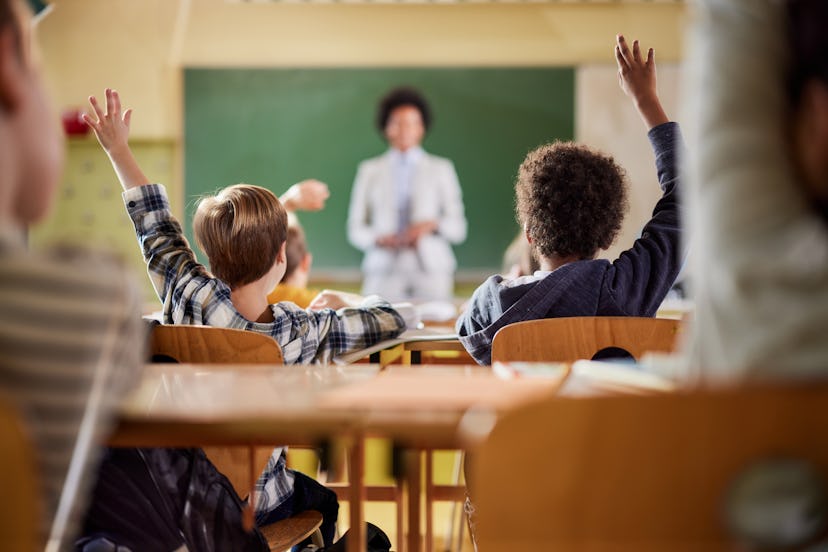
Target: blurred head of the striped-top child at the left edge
[30, 140]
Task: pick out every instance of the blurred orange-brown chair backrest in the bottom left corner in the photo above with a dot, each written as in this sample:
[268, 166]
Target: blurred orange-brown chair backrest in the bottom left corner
[20, 506]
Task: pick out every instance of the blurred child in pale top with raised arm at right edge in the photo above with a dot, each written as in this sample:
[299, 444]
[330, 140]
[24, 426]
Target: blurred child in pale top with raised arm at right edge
[758, 189]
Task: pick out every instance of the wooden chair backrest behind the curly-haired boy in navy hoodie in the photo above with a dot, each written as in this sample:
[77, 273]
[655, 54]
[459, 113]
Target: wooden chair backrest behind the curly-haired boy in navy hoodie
[575, 338]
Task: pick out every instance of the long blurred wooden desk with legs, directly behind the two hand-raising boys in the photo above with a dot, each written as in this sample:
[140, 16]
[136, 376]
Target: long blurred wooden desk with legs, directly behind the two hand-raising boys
[420, 408]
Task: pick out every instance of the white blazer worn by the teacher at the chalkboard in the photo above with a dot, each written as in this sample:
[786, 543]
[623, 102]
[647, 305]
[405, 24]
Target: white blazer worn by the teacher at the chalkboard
[435, 195]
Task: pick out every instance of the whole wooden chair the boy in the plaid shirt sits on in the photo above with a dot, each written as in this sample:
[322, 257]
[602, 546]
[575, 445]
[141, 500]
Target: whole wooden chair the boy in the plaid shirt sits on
[209, 345]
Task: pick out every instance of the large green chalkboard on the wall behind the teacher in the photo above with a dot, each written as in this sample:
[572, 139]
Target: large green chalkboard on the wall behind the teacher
[273, 127]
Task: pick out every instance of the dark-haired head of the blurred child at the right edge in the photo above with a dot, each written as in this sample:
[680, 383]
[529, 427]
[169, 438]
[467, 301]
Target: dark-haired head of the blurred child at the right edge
[808, 92]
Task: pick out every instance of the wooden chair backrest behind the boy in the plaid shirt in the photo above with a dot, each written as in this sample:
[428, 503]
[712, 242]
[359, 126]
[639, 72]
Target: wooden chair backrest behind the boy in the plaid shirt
[205, 344]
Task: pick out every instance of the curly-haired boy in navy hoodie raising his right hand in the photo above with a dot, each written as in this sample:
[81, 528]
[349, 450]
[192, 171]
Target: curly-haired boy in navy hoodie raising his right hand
[571, 202]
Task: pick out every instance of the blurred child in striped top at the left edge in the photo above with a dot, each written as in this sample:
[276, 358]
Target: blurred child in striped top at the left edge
[69, 321]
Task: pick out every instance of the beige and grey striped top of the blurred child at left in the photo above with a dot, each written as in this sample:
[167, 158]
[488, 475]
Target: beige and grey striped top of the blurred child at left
[66, 322]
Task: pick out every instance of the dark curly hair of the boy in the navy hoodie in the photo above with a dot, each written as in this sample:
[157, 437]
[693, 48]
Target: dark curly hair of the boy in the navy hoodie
[571, 200]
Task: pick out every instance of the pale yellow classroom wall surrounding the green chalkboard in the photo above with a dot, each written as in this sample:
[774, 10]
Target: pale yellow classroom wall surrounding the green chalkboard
[140, 47]
